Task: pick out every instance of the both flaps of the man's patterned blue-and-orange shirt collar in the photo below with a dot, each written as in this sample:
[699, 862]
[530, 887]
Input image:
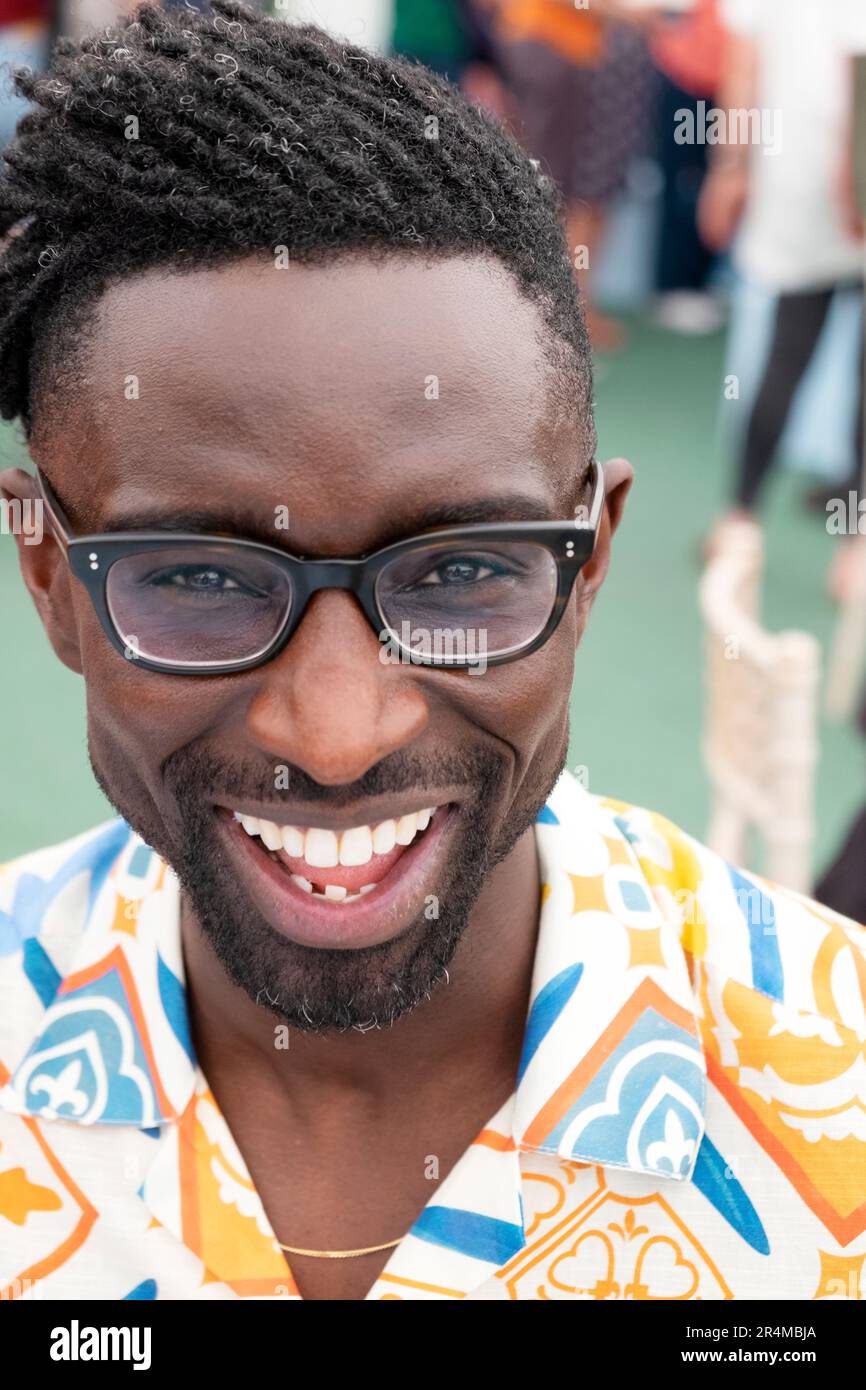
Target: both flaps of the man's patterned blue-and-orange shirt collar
[612, 1068]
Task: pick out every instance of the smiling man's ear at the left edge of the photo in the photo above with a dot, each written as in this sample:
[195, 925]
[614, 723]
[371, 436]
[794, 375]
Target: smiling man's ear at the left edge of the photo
[44, 565]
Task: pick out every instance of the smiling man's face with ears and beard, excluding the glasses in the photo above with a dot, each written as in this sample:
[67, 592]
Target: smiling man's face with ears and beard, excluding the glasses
[241, 393]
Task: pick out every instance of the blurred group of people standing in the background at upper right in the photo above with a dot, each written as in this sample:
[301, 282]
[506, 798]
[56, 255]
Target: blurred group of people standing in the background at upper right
[751, 113]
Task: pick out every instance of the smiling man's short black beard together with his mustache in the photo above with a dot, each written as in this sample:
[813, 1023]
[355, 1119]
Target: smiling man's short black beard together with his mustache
[313, 989]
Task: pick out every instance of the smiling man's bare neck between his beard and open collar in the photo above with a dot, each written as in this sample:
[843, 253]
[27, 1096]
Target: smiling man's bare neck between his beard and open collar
[469, 1031]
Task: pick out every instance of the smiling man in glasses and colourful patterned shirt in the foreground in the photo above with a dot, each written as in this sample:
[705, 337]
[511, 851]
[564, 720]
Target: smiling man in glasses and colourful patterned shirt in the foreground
[363, 997]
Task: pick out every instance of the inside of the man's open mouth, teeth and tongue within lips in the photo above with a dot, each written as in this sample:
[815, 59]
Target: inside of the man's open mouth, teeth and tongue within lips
[341, 867]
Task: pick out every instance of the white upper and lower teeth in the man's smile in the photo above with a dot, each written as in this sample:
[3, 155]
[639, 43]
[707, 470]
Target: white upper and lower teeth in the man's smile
[326, 850]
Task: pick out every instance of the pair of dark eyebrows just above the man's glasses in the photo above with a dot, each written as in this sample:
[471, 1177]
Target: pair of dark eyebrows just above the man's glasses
[511, 508]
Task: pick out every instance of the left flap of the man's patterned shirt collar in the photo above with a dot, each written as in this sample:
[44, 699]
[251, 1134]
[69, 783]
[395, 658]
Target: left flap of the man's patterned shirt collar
[113, 1046]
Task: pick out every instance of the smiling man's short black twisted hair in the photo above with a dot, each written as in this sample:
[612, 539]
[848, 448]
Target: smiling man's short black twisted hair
[188, 140]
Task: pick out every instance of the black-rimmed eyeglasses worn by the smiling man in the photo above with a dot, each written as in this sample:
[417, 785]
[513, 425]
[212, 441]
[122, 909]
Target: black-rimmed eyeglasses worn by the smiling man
[211, 605]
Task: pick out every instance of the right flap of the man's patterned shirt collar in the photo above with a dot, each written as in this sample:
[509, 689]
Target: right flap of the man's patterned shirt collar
[612, 1068]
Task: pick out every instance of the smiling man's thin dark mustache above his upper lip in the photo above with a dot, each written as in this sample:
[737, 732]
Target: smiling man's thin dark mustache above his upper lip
[198, 775]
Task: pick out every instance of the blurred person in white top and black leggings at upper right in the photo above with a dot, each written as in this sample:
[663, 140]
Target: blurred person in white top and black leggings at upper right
[787, 209]
